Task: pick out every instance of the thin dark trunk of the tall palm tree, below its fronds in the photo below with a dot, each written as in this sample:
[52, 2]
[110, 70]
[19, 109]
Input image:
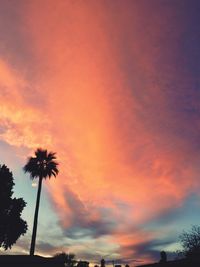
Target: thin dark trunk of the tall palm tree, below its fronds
[32, 249]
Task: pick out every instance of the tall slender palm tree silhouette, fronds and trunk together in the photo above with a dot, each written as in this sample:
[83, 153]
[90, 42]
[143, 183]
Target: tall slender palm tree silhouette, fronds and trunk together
[41, 166]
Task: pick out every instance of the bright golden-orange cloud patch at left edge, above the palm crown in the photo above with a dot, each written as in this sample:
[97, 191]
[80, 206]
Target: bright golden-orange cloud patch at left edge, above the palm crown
[18, 120]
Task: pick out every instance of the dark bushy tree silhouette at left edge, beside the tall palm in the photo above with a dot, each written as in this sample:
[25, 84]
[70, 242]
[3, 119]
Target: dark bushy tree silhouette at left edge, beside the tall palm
[11, 224]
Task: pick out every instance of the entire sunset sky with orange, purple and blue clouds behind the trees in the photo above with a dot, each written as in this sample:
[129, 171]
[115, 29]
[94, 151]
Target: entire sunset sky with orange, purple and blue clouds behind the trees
[113, 88]
